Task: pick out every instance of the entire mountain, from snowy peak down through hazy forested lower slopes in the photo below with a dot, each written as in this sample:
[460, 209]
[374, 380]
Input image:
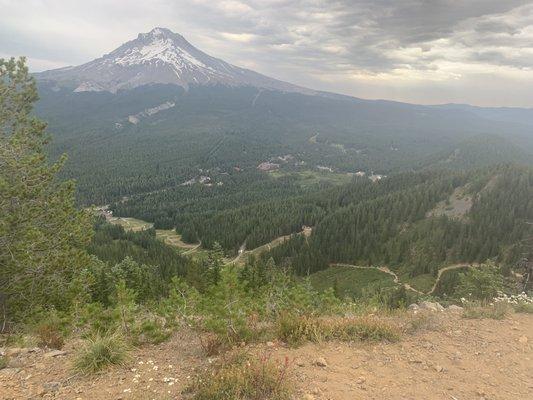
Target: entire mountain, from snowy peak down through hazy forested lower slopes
[156, 110]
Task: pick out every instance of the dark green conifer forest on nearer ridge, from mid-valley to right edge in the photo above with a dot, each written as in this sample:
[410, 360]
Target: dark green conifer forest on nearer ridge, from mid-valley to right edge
[414, 222]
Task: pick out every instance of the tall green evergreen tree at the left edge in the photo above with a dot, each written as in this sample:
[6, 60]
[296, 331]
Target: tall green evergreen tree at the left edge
[42, 234]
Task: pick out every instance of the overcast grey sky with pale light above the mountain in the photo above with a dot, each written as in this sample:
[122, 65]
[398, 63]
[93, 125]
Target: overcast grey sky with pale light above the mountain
[419, 51]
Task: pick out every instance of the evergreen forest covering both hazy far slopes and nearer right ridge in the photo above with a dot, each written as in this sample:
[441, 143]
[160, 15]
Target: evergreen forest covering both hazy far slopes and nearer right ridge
[194, 168]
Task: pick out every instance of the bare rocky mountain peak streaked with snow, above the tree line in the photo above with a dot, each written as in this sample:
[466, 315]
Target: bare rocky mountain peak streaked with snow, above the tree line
[159, 56]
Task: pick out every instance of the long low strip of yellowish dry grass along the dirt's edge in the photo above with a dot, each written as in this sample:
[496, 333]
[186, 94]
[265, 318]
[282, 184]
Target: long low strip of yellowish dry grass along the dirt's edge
[298, 330]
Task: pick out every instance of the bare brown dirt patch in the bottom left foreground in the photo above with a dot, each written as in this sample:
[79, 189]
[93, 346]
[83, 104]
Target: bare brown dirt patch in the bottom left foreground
[154, 372]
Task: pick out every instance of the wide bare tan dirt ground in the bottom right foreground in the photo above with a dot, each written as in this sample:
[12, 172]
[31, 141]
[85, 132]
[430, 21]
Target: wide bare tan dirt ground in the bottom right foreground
[460, 359]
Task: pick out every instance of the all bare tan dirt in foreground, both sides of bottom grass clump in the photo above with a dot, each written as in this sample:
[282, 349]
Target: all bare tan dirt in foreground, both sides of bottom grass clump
[454, 358]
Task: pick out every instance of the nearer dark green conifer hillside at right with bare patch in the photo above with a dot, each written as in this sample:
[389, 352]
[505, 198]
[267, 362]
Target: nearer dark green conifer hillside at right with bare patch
[419, 226]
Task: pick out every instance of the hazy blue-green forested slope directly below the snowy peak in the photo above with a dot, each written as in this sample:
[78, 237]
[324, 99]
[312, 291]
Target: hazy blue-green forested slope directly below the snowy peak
[126, 143]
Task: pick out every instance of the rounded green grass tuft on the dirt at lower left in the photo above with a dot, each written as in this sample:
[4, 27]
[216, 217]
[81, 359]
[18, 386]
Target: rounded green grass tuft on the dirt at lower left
[101, 352]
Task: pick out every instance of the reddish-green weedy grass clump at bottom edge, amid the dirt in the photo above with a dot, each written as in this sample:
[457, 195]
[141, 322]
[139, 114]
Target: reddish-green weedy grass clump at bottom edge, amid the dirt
[244, 377]
